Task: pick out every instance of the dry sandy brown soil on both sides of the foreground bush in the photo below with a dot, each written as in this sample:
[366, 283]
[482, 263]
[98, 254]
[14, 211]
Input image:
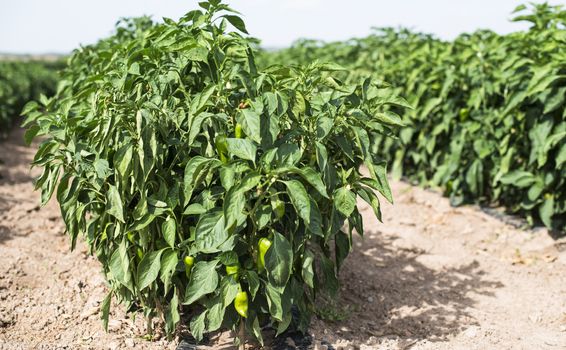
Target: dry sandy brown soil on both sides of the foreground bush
[430, 277]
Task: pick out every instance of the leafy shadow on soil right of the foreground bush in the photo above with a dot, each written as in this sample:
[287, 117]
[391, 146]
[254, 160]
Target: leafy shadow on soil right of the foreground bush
[390, 294]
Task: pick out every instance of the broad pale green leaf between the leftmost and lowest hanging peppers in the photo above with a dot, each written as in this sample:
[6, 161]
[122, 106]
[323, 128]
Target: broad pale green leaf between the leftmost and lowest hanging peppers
[204, 280]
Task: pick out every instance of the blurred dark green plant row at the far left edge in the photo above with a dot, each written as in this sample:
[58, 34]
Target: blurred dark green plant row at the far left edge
[20, 82]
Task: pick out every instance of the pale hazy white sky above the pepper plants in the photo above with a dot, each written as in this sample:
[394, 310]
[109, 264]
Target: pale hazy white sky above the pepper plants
[40, 26]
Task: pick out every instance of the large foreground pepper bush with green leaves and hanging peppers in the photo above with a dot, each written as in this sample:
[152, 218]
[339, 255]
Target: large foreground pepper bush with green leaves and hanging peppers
[199, 180]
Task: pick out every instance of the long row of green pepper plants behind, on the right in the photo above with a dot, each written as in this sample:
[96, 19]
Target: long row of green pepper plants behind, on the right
[489, 123]
